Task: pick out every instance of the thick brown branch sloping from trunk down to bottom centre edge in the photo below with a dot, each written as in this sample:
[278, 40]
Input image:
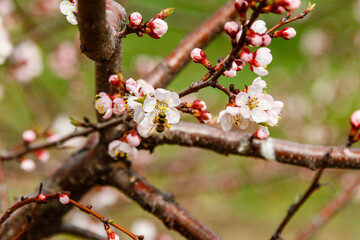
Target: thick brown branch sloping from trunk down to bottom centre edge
[160, 204]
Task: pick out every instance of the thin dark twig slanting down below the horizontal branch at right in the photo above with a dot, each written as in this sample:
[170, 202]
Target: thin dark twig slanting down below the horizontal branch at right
[315, 185]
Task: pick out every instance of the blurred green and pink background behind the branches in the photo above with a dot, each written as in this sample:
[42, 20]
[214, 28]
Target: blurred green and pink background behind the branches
[316, 75]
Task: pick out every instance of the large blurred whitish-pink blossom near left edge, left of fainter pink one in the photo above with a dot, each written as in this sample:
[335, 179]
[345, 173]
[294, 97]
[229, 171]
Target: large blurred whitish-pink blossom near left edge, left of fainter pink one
[26, 62]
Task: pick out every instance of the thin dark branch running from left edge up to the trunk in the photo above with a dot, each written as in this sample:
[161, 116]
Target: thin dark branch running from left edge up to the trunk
[21, 150]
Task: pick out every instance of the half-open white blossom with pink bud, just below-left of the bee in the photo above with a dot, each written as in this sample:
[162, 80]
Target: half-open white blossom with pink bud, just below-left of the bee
[125, 146]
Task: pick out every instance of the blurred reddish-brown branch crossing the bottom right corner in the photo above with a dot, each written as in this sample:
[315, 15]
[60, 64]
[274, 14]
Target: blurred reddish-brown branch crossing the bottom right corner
[328, 211]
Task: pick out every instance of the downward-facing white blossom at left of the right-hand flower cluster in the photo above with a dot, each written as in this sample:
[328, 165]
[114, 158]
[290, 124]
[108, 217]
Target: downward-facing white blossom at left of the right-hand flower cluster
[230, 117]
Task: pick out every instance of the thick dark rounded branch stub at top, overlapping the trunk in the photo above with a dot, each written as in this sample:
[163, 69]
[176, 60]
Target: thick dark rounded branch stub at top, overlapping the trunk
[98, 29]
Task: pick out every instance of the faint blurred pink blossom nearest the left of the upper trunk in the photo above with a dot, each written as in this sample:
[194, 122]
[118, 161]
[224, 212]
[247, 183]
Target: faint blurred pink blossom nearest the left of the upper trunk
[64, 60]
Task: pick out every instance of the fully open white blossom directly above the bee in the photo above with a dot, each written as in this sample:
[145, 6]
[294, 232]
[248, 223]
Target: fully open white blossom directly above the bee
[164, 101]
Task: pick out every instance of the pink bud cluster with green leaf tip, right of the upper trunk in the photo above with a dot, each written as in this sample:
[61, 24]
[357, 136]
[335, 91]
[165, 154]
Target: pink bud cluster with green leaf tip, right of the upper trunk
[155, 28]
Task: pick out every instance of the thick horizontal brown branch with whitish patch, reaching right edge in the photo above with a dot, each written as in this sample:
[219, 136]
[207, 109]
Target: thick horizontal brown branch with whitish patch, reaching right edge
[240, 143]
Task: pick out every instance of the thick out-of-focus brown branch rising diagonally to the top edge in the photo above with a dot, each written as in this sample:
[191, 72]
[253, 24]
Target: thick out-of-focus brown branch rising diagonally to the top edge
[200, 37]
